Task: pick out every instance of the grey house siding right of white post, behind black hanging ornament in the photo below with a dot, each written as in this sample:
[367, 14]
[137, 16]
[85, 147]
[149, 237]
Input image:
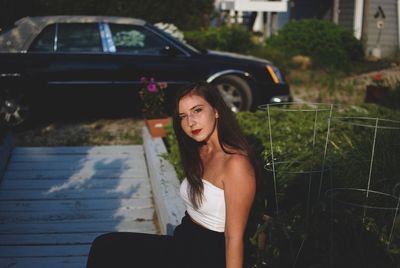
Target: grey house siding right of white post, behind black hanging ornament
[388, 42]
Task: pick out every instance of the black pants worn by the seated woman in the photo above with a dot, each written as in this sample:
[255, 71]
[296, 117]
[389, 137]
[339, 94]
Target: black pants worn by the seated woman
[191, 246]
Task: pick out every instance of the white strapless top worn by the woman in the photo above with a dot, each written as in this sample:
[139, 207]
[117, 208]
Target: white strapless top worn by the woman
[211, 213]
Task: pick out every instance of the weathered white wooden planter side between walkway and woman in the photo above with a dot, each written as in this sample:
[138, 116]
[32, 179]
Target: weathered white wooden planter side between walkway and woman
[164, 183]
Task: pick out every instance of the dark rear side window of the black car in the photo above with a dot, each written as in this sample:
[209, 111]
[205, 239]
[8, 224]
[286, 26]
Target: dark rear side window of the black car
[78, 37]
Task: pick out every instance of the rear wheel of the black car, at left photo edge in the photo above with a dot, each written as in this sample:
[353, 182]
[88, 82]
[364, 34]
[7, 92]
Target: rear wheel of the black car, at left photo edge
[14, 109]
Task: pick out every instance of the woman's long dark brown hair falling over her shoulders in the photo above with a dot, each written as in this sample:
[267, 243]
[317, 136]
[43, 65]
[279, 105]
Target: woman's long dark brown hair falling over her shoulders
[229, 134]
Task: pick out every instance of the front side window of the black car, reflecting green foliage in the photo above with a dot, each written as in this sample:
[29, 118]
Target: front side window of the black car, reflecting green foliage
[136, 40]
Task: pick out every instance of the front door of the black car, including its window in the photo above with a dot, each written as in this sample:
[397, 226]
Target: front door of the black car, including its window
[141, 52]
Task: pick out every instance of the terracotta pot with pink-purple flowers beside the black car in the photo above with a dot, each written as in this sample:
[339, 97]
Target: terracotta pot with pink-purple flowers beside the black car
[152, 95]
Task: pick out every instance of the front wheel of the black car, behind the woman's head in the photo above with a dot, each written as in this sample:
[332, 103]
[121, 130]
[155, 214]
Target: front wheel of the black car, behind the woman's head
[235, 91]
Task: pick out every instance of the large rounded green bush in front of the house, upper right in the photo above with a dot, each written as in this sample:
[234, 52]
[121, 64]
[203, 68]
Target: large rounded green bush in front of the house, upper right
[329, 45]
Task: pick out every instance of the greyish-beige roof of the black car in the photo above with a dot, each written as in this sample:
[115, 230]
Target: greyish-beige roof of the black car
[19, 37]
